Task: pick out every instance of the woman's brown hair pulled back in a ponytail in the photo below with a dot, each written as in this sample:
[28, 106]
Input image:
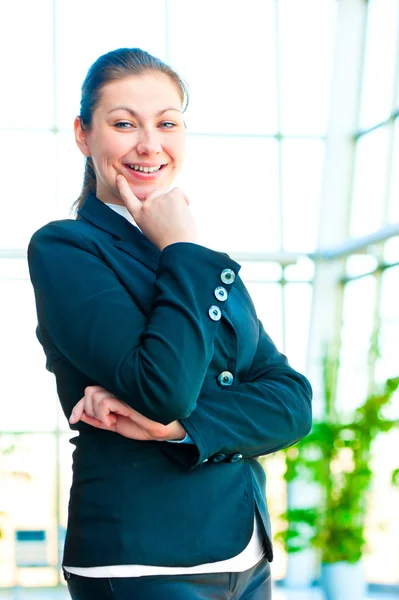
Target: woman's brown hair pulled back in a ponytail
[112, 66]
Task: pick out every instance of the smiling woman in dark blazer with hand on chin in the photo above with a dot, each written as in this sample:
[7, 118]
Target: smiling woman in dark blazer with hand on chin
[153, 339]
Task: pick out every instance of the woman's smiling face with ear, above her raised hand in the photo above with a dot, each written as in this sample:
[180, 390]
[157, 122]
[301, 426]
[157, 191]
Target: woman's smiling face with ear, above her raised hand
[137, 130]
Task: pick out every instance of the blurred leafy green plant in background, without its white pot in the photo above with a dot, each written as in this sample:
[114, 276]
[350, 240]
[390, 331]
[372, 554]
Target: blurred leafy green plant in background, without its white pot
[336, 456]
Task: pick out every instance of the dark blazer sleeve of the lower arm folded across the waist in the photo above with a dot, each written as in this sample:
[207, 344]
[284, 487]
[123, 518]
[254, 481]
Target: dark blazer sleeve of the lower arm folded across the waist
[269, 411]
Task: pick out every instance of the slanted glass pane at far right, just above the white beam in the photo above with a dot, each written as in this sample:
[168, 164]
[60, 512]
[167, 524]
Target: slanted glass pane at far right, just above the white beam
[369, 193]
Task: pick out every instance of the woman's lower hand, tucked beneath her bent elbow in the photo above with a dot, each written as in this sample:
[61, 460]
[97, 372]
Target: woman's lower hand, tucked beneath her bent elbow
[99, 408]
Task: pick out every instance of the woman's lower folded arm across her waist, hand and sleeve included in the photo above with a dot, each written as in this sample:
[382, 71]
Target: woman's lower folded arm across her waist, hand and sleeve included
[268, 411]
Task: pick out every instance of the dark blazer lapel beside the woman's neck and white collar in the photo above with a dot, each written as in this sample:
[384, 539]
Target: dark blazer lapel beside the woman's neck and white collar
[129, 238]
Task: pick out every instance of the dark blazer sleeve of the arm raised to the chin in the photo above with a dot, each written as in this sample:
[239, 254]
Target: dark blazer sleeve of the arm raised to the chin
[154, 363]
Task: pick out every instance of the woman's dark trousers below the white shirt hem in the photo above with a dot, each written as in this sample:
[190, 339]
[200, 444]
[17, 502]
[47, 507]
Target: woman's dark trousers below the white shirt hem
[253, 584]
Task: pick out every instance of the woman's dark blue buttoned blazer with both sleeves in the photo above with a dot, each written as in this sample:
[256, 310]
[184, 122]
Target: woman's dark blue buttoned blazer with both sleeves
[115, 311]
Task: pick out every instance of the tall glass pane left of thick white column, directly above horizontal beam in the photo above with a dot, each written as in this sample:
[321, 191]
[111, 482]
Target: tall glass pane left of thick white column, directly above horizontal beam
[302, 165]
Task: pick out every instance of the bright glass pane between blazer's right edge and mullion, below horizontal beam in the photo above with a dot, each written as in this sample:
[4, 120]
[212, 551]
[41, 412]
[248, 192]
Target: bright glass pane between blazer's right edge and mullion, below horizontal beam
[268, 302]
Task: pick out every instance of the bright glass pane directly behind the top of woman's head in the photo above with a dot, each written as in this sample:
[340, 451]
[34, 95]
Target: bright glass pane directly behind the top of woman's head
[130, 23]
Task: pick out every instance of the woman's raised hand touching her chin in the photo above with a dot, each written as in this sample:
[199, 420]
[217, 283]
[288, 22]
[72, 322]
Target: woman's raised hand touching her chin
[163, 217]
